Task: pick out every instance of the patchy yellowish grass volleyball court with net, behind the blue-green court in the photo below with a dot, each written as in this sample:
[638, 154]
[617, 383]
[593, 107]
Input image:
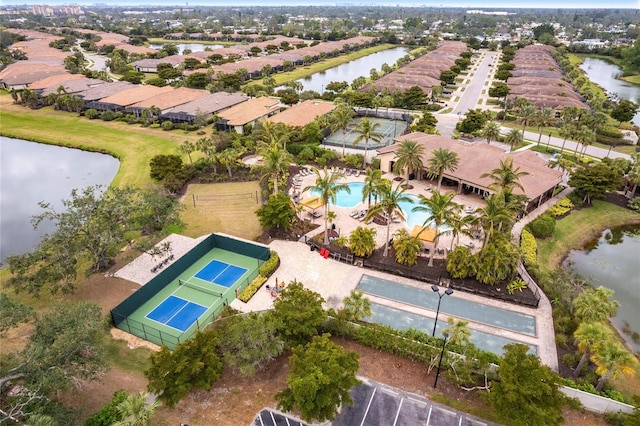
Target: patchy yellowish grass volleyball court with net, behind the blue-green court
[229, 214]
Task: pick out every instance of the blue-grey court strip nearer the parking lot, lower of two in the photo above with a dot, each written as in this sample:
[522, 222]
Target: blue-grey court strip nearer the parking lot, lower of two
[402, 320]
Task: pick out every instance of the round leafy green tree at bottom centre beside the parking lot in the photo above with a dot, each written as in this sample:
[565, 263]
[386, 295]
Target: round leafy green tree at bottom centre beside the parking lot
[320, 377]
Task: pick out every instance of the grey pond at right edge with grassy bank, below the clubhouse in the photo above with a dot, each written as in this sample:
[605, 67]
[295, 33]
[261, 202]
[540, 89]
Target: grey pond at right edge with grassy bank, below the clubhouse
[611, 261]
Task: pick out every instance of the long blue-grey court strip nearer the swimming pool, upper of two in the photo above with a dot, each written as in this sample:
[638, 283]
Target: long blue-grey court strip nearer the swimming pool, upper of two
[460, 308]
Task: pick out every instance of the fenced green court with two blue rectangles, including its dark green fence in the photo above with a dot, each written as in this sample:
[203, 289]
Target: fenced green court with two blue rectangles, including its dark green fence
[187, 295]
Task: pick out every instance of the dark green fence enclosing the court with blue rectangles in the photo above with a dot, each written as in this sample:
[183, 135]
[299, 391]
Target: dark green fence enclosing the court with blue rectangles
[120, 315]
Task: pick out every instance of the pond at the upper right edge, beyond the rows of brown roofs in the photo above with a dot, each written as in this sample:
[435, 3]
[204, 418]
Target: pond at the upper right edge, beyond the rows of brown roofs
[606, 75]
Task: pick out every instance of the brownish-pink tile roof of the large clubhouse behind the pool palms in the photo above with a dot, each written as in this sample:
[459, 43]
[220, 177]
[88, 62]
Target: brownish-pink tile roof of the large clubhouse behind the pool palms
[479, 158]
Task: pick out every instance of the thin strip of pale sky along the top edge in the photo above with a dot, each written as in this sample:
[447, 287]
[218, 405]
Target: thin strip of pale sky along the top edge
[469, 4]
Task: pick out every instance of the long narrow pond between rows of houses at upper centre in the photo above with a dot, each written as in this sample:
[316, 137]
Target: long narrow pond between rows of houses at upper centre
[352, 70]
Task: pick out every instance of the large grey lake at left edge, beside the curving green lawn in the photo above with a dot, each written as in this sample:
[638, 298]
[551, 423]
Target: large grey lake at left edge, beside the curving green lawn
[32, 172]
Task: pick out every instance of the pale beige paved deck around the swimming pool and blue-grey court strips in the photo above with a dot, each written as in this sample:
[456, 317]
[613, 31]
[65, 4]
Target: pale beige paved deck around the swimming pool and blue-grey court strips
[334, 280]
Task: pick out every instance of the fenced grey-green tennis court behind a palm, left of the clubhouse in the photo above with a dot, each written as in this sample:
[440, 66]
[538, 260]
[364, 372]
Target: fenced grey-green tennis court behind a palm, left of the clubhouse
[389, 129]
